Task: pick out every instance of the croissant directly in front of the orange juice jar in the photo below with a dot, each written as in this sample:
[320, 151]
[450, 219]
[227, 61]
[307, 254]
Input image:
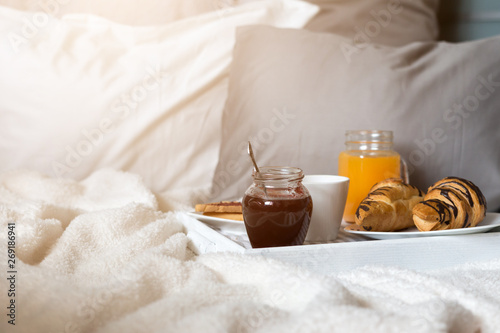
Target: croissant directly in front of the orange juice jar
[388, 206]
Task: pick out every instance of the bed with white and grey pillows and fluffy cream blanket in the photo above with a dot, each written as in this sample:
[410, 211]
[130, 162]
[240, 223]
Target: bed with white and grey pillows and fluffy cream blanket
[116, 119]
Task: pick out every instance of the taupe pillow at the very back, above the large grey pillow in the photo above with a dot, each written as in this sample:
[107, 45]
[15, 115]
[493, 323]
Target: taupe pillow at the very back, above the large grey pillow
[387, 22]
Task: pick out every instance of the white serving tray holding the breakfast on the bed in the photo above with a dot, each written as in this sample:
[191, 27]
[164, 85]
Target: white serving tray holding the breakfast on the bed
[351, 251]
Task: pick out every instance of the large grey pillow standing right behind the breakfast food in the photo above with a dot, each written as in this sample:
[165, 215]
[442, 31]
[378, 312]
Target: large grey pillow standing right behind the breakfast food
[295, 93]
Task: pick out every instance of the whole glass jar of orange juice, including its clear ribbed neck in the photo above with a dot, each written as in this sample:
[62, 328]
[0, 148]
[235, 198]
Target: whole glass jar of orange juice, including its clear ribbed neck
[368, 159]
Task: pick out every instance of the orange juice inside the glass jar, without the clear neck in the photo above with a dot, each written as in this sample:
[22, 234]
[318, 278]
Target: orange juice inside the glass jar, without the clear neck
[364, 169]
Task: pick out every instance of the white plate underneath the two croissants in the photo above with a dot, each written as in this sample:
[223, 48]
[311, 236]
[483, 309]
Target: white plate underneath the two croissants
[492, 220]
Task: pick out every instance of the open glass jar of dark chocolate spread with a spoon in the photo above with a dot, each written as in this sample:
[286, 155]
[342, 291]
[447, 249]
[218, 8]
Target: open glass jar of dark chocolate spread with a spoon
[277, 207]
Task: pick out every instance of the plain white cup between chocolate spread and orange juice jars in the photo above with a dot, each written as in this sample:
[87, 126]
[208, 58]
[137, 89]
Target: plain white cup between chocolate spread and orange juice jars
[329, 195]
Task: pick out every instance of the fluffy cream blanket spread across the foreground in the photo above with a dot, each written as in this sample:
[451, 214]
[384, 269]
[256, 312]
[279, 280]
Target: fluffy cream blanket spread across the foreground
[98, 256]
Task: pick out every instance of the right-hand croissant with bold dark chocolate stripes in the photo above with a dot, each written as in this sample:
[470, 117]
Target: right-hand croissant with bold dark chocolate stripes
[450, 203]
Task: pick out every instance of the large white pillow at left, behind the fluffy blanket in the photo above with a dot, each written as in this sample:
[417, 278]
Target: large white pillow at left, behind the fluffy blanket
[83, 93]
